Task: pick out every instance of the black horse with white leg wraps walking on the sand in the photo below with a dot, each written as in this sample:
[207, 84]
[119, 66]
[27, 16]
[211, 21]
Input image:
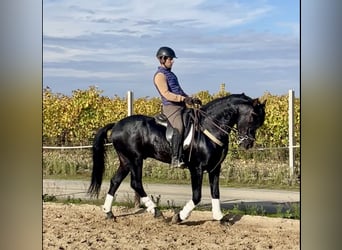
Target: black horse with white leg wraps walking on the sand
[138, 137]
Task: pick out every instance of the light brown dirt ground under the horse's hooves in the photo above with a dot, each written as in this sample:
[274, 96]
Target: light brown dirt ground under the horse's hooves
[70, 226]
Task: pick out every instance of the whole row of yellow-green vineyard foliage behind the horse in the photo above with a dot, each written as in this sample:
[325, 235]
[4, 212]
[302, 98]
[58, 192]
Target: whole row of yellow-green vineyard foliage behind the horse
[73, 120]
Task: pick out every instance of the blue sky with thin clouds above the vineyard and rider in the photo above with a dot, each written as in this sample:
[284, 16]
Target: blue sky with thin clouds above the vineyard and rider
[251, 46]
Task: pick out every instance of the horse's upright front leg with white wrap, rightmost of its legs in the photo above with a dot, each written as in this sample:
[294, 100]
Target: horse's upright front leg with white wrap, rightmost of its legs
[214, 177]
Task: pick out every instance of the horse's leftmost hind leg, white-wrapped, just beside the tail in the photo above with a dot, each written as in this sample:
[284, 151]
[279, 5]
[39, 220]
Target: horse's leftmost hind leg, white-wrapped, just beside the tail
[115, 182]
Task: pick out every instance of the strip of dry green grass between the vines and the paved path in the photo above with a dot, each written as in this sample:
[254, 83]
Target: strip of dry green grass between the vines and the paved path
[253, 171]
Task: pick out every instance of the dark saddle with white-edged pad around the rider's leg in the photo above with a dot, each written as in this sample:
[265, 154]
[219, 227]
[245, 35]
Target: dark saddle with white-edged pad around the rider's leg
[189, 122]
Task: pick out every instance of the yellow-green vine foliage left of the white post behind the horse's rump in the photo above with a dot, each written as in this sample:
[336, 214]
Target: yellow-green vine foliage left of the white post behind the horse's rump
[74, 120]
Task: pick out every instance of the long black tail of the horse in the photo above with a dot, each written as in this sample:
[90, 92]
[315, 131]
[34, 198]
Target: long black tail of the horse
[98, 159]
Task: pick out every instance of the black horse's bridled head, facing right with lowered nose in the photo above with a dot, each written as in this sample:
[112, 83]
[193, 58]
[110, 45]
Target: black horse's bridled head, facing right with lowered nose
[251, 117]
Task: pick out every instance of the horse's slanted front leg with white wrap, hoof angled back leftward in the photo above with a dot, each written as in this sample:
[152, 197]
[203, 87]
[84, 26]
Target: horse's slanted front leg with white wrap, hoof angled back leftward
[196, 184]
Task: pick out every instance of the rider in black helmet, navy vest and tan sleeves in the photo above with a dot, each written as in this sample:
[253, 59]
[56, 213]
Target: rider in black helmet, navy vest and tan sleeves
[173, 101]
